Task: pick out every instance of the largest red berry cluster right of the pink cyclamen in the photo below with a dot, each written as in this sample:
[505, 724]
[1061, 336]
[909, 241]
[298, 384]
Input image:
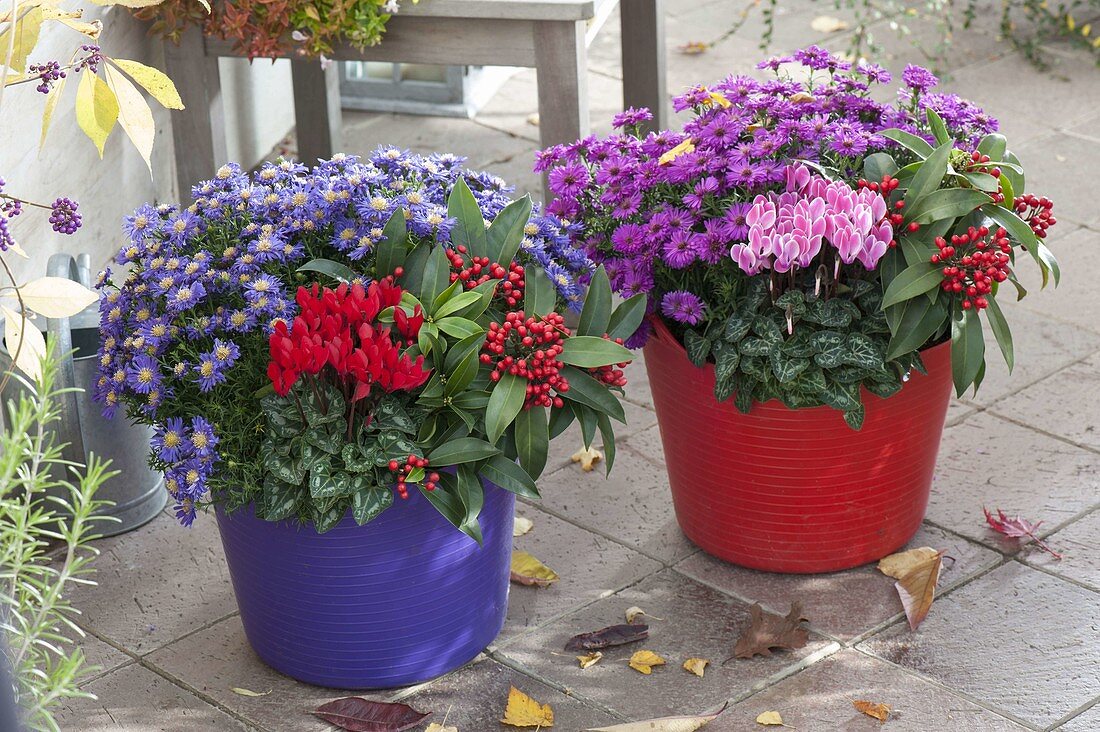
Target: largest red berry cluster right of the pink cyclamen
[973, 265]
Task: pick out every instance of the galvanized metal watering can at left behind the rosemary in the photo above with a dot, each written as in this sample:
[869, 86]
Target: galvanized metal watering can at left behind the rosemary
[137, 494]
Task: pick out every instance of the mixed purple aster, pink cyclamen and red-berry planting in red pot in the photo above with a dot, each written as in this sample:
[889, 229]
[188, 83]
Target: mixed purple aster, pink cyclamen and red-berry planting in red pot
[807, 239]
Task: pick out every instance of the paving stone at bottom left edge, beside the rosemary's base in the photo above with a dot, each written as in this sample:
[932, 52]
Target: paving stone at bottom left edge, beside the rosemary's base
[136, 700]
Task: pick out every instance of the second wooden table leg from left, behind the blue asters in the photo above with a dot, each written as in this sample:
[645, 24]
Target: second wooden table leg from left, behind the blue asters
[316, 111]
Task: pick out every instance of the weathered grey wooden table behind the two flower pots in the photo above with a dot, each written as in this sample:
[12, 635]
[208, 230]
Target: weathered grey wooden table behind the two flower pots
[551, 36]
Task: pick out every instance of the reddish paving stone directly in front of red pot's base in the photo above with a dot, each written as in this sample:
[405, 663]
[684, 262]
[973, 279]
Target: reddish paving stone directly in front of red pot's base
[843, 605]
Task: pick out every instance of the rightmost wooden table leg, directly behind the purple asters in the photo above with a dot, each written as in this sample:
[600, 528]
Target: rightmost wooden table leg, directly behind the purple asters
[644, 80]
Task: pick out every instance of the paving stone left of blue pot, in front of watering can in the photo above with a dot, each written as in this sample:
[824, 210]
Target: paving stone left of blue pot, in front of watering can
[158, 584]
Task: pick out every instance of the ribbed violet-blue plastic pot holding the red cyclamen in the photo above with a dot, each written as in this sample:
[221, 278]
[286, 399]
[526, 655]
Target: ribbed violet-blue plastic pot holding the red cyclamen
[402, 600]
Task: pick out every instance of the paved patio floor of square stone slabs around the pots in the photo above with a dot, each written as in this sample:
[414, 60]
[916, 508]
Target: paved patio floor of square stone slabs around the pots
[1013, 640]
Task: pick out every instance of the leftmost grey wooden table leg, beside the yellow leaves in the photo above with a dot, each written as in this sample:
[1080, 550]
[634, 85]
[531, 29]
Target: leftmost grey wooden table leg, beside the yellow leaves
[199, 133]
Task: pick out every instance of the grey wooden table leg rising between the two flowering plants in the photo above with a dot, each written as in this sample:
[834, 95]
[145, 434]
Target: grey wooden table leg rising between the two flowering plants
[562, 63]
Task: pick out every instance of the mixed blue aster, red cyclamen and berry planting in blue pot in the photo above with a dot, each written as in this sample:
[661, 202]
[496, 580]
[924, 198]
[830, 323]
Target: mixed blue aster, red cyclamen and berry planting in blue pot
[317, 342]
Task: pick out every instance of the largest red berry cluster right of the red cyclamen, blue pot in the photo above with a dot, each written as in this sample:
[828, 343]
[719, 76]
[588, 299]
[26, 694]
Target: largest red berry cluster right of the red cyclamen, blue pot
[530, 348]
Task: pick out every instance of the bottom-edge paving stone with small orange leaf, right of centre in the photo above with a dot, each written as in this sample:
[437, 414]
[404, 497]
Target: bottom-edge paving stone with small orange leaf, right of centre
[820, 698]
